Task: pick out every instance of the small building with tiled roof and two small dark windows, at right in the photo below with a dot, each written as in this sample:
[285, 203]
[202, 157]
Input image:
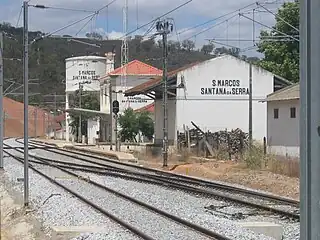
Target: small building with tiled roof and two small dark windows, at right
[283, 121]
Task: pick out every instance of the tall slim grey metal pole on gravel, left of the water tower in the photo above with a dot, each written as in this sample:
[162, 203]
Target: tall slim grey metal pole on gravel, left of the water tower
[26, 102]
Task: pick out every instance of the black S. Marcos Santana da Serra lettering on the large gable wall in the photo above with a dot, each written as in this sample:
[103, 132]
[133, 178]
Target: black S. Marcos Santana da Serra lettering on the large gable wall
[225, 87]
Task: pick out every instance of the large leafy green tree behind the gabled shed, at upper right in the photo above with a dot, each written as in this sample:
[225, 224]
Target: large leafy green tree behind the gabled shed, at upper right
[282, 56]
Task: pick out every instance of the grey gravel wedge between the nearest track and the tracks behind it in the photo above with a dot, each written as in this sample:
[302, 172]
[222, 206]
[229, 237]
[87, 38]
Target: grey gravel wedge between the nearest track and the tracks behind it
[183, 205]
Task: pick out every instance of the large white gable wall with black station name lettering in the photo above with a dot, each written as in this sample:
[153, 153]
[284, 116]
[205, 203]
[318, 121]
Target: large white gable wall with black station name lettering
[216, 112]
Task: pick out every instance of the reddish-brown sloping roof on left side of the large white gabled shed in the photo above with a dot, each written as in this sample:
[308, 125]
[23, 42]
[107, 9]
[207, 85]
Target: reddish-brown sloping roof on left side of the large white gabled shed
[155, 81]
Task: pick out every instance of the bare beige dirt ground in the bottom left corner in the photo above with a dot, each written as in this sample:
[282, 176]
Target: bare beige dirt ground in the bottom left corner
[17, 222]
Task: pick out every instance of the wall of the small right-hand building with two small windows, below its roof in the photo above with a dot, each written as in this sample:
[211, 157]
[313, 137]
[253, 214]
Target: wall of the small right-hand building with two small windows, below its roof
[283, 133]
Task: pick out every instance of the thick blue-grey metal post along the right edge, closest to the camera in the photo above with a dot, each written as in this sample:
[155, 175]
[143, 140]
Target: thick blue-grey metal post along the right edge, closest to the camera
[309, 119]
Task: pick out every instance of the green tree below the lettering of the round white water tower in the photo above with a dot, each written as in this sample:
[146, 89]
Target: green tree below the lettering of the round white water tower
[89, 100]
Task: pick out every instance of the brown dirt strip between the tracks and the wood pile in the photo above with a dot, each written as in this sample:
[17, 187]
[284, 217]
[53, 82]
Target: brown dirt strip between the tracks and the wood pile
[235, 173]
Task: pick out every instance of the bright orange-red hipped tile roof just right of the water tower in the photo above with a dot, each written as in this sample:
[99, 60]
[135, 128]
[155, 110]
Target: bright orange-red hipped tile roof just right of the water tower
[136, 67]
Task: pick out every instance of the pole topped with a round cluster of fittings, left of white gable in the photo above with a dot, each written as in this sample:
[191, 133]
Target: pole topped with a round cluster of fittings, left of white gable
[164, 28]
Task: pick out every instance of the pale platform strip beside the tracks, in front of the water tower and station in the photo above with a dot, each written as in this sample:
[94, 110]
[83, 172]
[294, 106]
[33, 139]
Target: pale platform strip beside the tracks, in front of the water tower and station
[121, 156]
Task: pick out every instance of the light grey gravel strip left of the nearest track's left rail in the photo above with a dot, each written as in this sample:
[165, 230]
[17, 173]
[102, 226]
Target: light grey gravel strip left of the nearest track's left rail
[55, 207]
